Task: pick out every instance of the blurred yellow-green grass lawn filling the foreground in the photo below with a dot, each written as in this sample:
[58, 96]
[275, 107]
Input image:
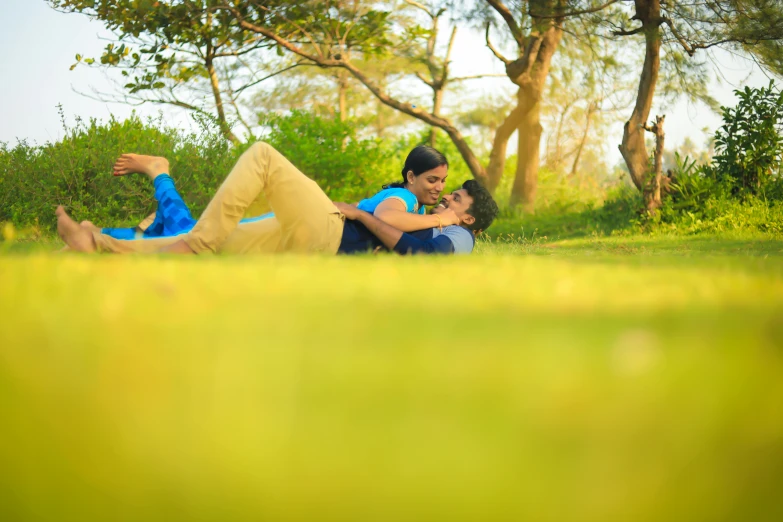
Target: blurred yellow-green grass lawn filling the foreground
[594, 379]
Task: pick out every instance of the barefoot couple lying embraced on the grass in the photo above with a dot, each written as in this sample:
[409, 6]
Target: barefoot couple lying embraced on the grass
[304, 219]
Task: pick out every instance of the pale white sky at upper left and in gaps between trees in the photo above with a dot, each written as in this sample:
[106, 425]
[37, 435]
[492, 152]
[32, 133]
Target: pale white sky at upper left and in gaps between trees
[40, 45]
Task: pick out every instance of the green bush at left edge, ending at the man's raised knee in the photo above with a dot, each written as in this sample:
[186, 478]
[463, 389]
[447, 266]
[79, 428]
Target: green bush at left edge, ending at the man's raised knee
[76, 172]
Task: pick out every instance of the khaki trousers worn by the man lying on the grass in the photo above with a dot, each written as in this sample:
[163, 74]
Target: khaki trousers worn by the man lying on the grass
[305, 219]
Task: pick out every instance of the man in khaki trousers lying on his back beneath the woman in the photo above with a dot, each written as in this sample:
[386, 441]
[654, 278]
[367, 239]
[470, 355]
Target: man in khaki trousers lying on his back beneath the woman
[305, 219]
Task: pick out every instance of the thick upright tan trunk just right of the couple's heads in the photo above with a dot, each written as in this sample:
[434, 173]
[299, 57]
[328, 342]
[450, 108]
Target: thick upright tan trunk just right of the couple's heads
[531, 86]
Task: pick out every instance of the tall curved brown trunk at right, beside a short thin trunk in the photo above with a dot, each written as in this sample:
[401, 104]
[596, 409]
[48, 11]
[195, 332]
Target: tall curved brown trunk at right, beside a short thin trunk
[632, 147]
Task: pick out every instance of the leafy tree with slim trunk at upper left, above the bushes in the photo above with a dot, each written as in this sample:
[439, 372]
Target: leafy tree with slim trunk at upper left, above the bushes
[178, 52]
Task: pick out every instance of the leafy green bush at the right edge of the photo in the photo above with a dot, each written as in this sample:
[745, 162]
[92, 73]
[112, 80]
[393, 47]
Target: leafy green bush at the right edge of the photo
[742, 188]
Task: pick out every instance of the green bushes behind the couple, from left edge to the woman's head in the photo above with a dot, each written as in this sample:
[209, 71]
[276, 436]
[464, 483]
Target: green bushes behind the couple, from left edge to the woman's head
[76, 171]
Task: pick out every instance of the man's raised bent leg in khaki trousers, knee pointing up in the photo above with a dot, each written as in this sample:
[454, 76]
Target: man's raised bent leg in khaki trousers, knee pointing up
[308, 220]
